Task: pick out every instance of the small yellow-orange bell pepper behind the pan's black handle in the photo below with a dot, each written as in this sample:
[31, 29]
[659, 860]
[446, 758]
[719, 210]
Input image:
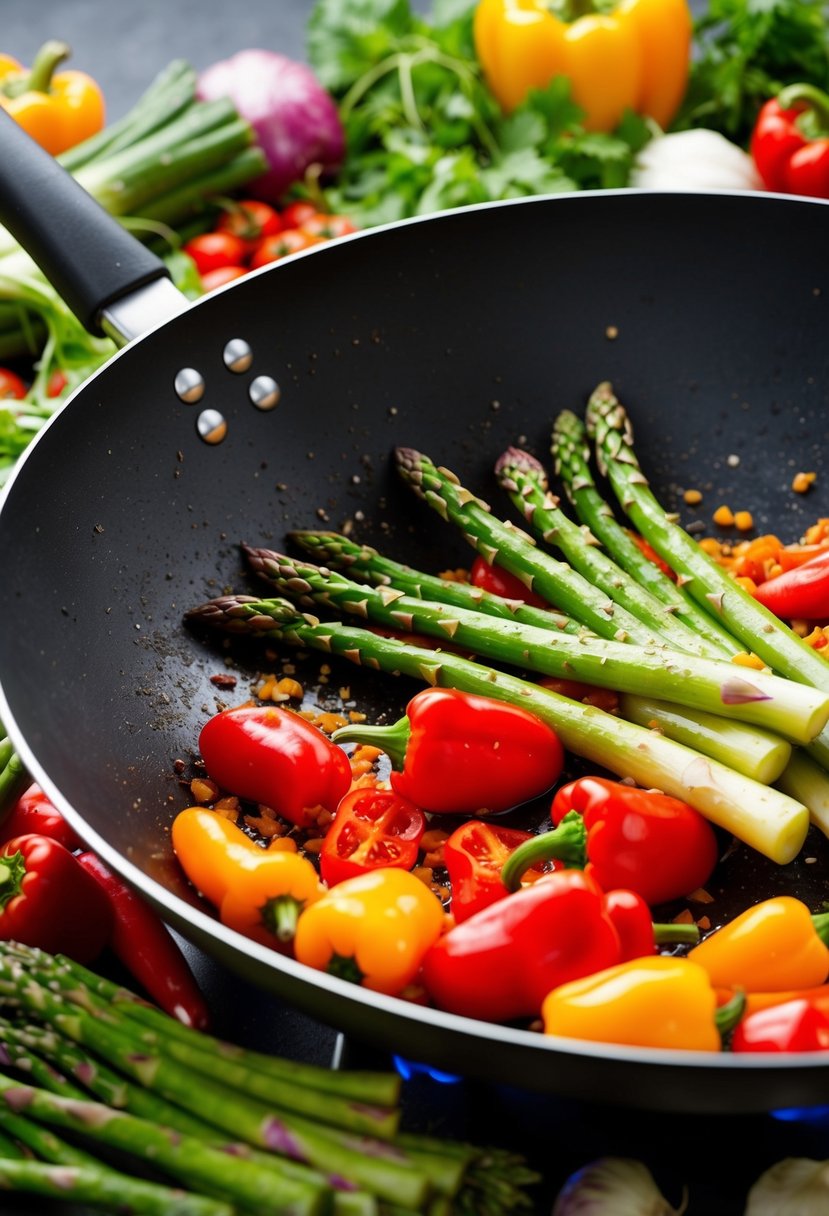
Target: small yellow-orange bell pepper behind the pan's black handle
[57, 109]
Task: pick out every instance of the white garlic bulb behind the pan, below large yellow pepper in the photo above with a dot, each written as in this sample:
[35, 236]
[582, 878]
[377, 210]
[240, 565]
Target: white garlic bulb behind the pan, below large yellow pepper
[695, 160]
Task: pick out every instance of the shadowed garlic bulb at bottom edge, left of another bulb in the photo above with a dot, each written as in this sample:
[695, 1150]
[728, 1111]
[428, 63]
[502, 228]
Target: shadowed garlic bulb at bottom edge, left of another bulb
[617, 1185]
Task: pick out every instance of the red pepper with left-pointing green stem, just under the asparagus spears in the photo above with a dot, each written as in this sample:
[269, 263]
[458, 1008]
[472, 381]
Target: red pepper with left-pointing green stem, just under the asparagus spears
[461, 753]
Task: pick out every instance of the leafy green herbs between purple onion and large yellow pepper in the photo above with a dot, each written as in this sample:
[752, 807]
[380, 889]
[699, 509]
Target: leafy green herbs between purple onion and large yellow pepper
[425, 133]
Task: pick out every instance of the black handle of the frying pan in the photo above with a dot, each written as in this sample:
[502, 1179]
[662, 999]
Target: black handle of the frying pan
[89, 258]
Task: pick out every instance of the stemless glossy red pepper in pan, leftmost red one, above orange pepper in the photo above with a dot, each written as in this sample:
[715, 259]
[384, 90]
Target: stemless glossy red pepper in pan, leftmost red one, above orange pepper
[274, 757]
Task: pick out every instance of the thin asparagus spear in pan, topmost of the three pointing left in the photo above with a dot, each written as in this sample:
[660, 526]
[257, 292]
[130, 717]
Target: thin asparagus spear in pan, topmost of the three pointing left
[365, 565]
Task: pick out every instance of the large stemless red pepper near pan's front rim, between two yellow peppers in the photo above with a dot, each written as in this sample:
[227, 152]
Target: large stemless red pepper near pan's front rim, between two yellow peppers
[503, 962]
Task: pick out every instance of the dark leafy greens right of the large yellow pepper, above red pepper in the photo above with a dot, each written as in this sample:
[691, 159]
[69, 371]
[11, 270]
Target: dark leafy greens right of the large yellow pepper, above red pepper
[745, 53]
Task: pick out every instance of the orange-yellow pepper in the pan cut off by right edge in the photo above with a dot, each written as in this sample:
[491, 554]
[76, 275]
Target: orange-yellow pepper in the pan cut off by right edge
[775, 945]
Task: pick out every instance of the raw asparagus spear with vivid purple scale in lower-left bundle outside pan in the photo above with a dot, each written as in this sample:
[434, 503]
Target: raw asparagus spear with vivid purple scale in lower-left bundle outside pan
[371, 1164]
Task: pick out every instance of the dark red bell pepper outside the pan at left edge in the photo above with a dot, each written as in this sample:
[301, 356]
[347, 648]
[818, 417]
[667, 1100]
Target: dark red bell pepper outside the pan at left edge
[49, 900]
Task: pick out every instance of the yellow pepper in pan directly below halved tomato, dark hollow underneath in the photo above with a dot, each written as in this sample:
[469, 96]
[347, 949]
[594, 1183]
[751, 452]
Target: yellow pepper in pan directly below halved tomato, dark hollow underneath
[373, 930]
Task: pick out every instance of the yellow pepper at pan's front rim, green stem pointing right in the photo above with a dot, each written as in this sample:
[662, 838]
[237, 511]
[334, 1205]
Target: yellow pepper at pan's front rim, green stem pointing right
[658, 1001]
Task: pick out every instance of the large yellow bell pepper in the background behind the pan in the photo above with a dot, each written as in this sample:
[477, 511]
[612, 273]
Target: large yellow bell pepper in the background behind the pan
[635, 58]
